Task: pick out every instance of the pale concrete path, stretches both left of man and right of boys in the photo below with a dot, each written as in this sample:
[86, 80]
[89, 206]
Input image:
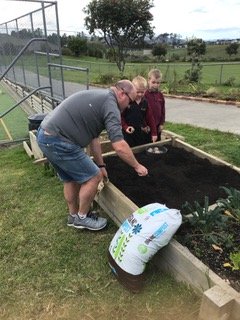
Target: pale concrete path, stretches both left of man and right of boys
[223, 117]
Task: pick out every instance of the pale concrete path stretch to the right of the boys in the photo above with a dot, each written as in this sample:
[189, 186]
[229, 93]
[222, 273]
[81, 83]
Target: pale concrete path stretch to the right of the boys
[222, 117]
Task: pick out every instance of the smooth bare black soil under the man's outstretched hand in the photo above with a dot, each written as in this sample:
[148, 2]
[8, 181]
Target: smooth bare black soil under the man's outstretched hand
[174, 178]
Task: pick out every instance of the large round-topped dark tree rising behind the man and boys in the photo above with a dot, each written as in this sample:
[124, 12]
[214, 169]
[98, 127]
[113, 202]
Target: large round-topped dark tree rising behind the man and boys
[122, 24]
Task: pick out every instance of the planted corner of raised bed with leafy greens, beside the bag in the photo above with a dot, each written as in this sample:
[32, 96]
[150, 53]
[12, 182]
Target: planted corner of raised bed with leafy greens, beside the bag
[212, 235]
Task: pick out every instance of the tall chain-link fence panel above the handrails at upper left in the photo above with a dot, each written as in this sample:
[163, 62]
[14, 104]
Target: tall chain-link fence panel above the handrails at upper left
[30, 42]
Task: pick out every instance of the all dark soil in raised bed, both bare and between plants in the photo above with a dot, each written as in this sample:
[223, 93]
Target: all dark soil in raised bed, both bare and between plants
[174, 178]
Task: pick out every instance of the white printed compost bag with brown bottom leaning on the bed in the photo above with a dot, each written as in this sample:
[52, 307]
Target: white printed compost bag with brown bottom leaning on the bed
[138, 239]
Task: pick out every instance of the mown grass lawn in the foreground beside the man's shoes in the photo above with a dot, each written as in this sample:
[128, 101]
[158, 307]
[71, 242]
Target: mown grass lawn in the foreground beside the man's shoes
[51, 271]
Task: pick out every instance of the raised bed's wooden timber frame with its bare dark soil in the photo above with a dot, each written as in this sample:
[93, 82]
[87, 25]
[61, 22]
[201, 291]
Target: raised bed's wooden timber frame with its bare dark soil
[195, 179]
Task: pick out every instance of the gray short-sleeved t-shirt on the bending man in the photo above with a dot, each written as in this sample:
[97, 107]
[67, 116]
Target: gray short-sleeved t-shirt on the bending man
[84, 115]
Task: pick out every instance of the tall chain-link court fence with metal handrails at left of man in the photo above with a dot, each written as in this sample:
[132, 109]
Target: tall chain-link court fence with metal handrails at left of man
[31, 64]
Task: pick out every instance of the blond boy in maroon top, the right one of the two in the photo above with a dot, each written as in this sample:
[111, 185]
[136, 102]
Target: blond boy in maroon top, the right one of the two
[156, 99]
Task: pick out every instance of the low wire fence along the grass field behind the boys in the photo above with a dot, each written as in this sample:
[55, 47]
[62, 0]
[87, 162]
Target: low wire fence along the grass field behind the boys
[212, 73]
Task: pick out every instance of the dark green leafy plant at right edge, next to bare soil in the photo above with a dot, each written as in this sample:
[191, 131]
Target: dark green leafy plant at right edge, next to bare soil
[231, 205]
